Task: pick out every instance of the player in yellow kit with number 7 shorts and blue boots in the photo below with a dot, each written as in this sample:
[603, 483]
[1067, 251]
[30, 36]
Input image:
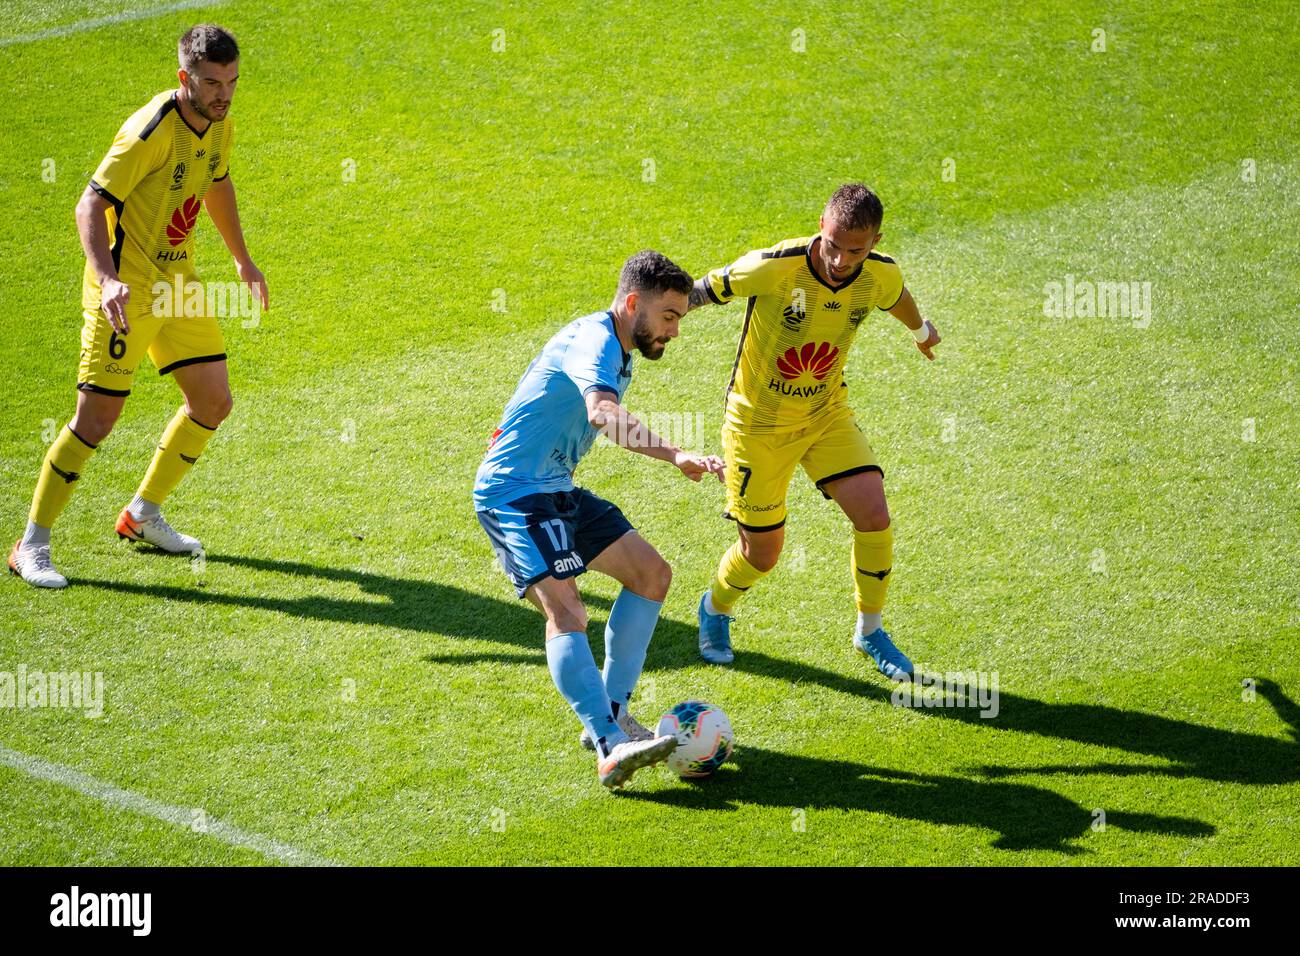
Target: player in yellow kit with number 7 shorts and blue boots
[787, 406]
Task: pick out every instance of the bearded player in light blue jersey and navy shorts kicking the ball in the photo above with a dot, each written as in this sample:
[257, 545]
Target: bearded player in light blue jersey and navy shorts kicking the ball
[547, 531]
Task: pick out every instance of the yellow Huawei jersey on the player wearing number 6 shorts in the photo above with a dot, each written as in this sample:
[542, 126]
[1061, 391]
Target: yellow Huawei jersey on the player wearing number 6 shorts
[155, 176]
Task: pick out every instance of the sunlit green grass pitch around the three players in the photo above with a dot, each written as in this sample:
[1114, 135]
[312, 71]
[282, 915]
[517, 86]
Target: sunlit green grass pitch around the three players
[1102, 512]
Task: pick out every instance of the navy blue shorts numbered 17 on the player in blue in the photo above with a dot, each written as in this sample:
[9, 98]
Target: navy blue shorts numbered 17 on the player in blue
[552, 535]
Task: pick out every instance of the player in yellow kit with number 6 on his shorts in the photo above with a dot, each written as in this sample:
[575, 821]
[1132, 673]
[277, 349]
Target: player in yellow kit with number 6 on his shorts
[137, 223]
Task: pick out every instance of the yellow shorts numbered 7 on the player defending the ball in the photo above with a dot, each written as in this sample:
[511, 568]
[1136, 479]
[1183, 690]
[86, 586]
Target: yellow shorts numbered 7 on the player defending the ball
[760, 468]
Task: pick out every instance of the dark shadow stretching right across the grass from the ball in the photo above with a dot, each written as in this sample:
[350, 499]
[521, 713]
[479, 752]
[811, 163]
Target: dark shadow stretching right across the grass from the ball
[1025, 817]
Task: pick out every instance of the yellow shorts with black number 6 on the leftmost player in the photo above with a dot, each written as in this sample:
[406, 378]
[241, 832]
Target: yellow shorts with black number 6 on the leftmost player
[110, 360]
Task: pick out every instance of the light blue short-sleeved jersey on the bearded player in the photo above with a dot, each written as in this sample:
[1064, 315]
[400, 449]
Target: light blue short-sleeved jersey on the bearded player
[544, 432]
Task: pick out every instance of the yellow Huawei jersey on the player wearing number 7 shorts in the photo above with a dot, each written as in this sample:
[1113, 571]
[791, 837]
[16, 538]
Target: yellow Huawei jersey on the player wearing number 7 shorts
[790, 365]
